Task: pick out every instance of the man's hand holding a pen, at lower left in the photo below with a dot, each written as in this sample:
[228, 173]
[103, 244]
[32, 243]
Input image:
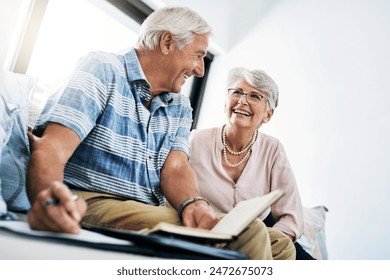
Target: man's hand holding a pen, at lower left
[63, 216]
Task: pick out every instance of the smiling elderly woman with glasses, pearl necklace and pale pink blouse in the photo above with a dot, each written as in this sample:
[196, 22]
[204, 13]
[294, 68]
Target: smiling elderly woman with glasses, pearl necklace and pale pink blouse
[236, 162]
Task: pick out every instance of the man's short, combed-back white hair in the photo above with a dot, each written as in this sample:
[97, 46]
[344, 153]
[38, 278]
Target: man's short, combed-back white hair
[181, 22]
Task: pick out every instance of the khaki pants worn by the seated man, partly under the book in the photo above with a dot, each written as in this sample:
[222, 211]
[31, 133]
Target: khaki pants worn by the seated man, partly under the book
[257, 241]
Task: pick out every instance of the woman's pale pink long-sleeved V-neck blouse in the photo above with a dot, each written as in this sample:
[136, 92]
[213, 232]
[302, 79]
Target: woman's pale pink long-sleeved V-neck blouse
[267, 169]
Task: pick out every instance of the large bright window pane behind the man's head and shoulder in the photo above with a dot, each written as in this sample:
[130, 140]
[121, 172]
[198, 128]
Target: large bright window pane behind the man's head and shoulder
[70, 30]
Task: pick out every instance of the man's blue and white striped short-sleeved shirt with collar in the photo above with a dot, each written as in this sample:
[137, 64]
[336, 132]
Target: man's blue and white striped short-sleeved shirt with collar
[123, 144]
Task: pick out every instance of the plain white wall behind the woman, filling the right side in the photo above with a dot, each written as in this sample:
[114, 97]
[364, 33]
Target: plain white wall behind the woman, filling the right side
[331, 60]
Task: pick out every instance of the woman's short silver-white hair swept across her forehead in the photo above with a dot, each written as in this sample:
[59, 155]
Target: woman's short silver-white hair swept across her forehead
[257, 79]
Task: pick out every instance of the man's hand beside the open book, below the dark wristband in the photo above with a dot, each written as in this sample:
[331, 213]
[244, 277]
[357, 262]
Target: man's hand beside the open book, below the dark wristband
[199, 214]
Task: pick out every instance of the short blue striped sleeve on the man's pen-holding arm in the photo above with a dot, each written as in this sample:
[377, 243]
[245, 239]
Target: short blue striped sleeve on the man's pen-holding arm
[79, 104]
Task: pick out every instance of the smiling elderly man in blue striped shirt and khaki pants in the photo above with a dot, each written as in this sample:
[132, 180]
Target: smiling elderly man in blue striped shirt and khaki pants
[118, 137]
